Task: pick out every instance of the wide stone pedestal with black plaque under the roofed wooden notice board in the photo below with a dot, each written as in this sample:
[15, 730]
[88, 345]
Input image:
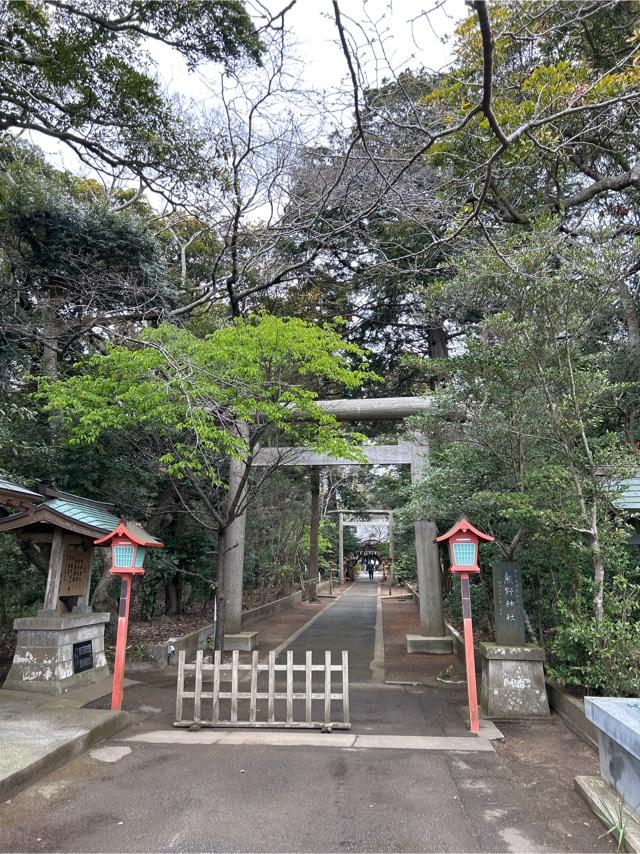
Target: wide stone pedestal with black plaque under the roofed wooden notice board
[57, 653]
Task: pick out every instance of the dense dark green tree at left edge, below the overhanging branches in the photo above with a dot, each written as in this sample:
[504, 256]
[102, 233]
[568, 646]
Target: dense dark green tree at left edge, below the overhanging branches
[73, 269]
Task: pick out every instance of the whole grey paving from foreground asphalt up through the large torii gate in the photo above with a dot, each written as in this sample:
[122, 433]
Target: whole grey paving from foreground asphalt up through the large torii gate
[229, 792]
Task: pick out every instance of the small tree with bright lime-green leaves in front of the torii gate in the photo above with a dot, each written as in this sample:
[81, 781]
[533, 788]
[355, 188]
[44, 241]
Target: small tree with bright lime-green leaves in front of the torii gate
[211, 401]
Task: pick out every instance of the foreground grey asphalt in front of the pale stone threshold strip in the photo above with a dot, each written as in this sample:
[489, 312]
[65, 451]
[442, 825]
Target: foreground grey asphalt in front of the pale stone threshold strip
[286, 799]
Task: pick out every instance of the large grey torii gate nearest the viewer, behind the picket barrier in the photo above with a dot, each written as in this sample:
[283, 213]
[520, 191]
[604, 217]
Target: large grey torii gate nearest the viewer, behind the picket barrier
[414, 454]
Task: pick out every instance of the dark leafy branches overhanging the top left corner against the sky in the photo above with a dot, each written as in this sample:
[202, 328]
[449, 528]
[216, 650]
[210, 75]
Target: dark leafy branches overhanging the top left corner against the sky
[79, 72]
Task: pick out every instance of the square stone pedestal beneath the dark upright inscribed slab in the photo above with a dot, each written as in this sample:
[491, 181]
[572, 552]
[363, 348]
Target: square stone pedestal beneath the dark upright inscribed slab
[513, 681]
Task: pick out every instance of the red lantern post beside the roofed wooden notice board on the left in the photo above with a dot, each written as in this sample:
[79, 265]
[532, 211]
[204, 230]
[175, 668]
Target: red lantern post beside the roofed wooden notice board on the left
[129, 543]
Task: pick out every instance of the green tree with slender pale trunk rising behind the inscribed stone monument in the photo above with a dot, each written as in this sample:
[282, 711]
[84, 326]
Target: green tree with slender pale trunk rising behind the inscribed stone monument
[537, 393]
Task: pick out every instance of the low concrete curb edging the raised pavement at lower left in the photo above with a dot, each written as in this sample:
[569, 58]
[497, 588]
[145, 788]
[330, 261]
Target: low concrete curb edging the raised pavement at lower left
[12, 783]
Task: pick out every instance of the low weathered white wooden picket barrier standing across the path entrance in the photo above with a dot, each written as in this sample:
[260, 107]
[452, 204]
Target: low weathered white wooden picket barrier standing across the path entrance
[281, 705]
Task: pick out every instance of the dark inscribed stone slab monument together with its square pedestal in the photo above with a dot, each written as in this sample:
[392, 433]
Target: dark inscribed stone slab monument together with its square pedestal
[512, 670]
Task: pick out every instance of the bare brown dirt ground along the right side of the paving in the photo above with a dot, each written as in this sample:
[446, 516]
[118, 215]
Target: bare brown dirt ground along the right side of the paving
[542, 757]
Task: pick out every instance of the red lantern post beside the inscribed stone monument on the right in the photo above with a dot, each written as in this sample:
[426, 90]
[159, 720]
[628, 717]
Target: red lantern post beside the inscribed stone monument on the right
[463, 541]
